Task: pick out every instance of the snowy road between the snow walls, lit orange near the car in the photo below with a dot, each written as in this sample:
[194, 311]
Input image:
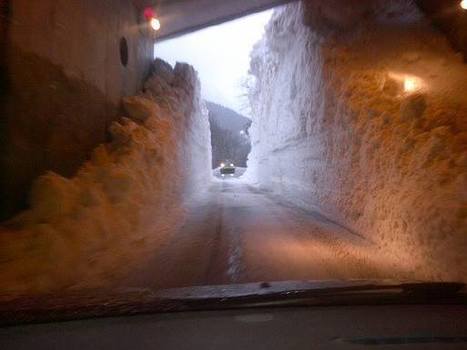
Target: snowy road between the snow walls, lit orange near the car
[237, 234]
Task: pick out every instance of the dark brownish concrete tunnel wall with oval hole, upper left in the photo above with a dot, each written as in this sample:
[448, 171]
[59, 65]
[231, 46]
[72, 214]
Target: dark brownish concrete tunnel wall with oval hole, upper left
[65, 81]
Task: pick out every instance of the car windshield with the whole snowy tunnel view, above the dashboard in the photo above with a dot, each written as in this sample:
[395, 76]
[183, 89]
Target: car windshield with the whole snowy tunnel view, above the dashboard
[148, 146]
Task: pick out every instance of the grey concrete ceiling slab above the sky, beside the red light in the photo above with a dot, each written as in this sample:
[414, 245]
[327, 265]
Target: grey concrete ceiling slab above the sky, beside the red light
[180, 17]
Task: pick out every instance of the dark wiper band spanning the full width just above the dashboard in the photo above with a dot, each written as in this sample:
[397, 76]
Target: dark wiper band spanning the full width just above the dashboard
[91, 304]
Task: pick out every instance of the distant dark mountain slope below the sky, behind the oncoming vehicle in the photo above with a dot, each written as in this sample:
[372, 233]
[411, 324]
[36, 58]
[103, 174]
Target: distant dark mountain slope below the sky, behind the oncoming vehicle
[229, 135]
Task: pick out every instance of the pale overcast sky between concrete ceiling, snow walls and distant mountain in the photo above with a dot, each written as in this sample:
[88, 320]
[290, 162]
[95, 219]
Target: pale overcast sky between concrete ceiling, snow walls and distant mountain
[220, 54]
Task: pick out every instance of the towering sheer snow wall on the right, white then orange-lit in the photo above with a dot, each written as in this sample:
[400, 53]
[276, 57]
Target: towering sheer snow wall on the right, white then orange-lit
[360, 113]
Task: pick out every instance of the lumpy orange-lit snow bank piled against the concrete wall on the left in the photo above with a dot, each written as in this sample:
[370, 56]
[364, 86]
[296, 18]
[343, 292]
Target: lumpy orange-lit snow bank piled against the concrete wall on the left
[123, 201]
